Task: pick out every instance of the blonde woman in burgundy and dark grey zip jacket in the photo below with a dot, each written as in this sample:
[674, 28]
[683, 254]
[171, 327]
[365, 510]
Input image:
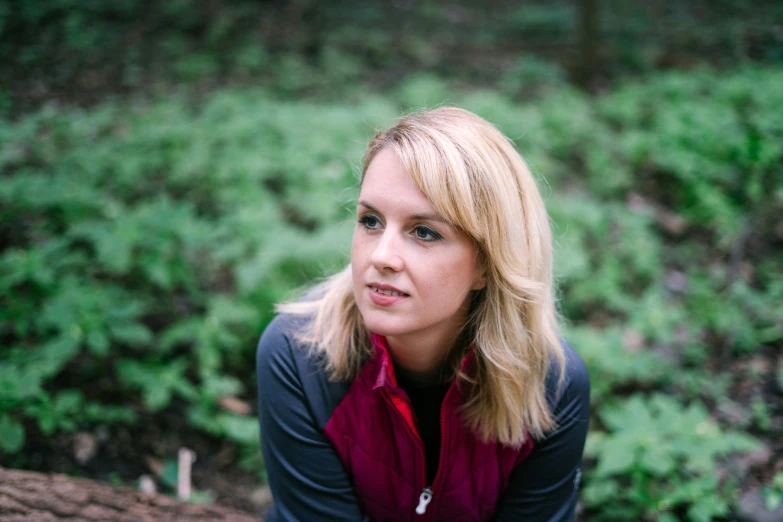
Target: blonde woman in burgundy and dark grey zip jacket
[428, 381]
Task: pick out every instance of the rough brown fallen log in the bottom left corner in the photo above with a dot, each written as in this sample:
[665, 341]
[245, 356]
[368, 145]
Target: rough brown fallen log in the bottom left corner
[29, 496]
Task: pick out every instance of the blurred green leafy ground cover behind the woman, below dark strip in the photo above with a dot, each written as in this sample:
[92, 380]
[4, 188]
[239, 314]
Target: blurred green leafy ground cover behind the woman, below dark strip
[144, 243]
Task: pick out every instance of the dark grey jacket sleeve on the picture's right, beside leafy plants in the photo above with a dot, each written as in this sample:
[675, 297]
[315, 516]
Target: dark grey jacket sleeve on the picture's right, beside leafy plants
[545, 486]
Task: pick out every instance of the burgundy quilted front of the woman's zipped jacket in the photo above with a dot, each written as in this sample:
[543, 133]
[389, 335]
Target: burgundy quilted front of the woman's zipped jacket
[374, 433]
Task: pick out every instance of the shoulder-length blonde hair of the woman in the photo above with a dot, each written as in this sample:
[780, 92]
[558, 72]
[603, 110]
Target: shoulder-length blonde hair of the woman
[476, 180]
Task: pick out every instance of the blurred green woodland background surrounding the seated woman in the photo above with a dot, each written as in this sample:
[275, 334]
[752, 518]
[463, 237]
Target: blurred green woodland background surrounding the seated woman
[170, 170]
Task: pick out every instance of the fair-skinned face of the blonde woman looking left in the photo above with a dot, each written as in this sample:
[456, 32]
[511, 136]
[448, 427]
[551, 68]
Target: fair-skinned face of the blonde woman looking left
[412, 272]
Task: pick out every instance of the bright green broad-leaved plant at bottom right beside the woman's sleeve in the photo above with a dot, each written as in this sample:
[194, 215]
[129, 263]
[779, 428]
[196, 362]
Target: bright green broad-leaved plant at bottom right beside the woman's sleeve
[658, 456]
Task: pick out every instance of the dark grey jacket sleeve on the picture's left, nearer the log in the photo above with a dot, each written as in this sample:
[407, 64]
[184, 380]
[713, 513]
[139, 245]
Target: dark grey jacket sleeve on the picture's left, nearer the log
[307, 479]
